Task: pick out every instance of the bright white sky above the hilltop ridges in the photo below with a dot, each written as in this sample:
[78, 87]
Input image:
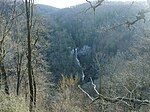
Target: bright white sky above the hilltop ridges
[68, 3]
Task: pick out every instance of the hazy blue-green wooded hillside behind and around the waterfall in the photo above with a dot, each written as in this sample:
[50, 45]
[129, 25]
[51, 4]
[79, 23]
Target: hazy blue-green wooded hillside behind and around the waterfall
[104, 31]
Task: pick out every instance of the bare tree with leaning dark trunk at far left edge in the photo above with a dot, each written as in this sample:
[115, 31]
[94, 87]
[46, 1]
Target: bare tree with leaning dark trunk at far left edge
[7, 20]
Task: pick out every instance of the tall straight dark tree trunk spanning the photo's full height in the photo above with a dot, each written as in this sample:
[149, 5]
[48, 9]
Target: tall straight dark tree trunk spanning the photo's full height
[29, 15]
